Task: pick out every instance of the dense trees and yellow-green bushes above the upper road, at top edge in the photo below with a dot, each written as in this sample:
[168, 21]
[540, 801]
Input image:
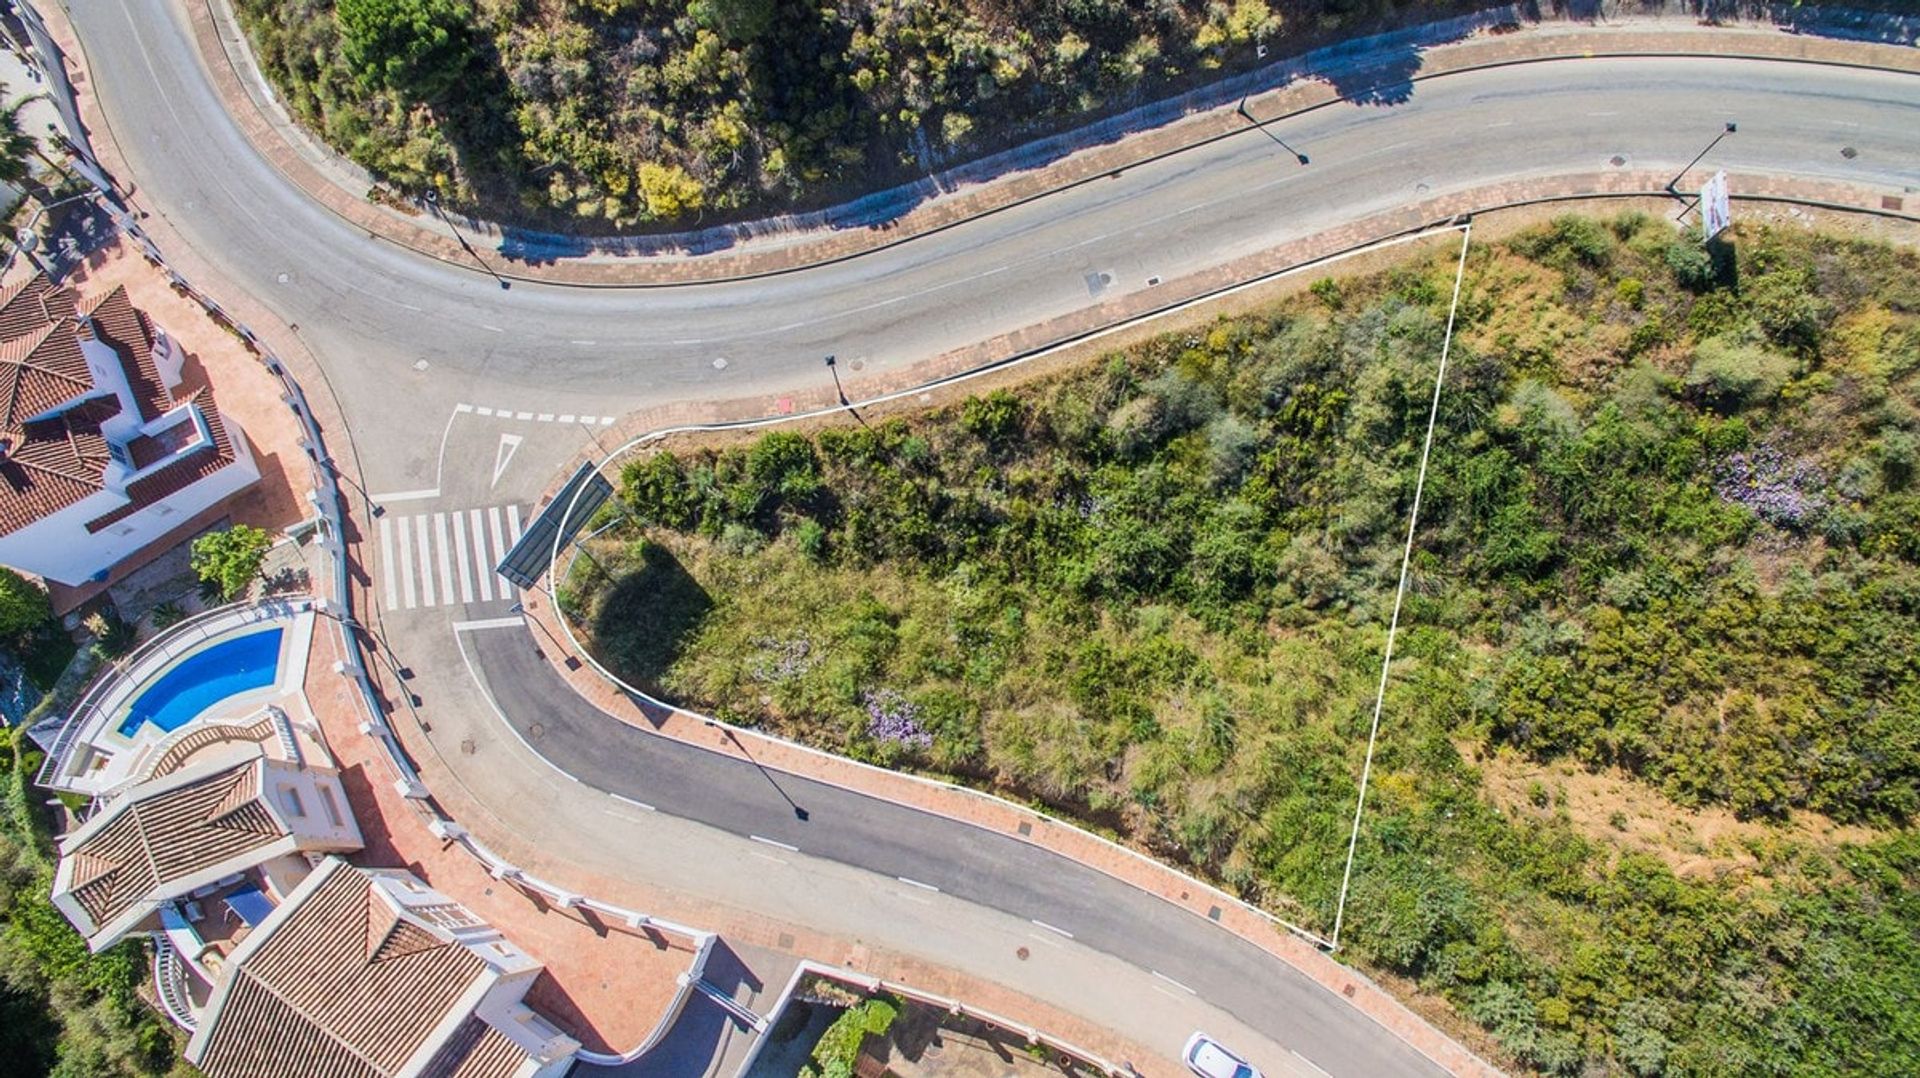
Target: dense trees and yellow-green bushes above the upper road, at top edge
[617, 114]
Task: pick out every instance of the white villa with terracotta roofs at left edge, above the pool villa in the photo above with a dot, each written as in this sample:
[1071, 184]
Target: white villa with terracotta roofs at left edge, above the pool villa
[99, 460]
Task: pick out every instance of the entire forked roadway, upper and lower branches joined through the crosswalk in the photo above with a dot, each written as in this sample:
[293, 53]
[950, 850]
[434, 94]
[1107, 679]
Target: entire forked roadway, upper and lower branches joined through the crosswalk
[464, 401]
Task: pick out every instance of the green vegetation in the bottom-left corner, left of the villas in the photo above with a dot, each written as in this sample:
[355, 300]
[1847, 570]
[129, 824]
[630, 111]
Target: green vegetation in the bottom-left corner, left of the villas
[62, 1012]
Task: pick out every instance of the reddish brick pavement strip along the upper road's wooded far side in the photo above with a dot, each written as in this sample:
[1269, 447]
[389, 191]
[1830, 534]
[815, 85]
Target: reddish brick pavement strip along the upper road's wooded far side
[1543, 43]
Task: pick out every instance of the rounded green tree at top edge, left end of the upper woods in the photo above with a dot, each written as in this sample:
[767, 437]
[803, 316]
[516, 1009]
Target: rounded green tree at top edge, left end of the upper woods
[412, 47]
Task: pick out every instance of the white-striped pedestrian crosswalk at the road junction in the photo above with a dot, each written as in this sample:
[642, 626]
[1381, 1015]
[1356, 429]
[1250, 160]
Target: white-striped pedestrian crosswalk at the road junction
[433, 560]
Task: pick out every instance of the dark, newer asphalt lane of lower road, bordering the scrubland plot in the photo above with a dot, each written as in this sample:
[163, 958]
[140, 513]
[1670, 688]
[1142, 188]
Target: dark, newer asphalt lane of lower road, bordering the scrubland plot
[963, 862]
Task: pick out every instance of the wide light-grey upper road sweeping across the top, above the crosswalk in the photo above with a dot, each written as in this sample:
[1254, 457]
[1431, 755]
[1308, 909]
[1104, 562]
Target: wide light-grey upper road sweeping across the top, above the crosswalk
[375, 312]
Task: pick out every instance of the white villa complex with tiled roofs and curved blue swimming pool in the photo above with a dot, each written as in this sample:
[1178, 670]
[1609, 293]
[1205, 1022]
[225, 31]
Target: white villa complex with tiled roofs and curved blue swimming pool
[218, 837]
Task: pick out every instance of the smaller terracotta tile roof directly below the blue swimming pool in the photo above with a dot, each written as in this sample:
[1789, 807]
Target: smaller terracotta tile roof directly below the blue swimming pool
[143, 843]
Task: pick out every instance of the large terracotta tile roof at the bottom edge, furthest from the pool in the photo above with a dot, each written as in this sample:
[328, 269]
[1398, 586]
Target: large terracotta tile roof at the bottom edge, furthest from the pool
[345, 989]
